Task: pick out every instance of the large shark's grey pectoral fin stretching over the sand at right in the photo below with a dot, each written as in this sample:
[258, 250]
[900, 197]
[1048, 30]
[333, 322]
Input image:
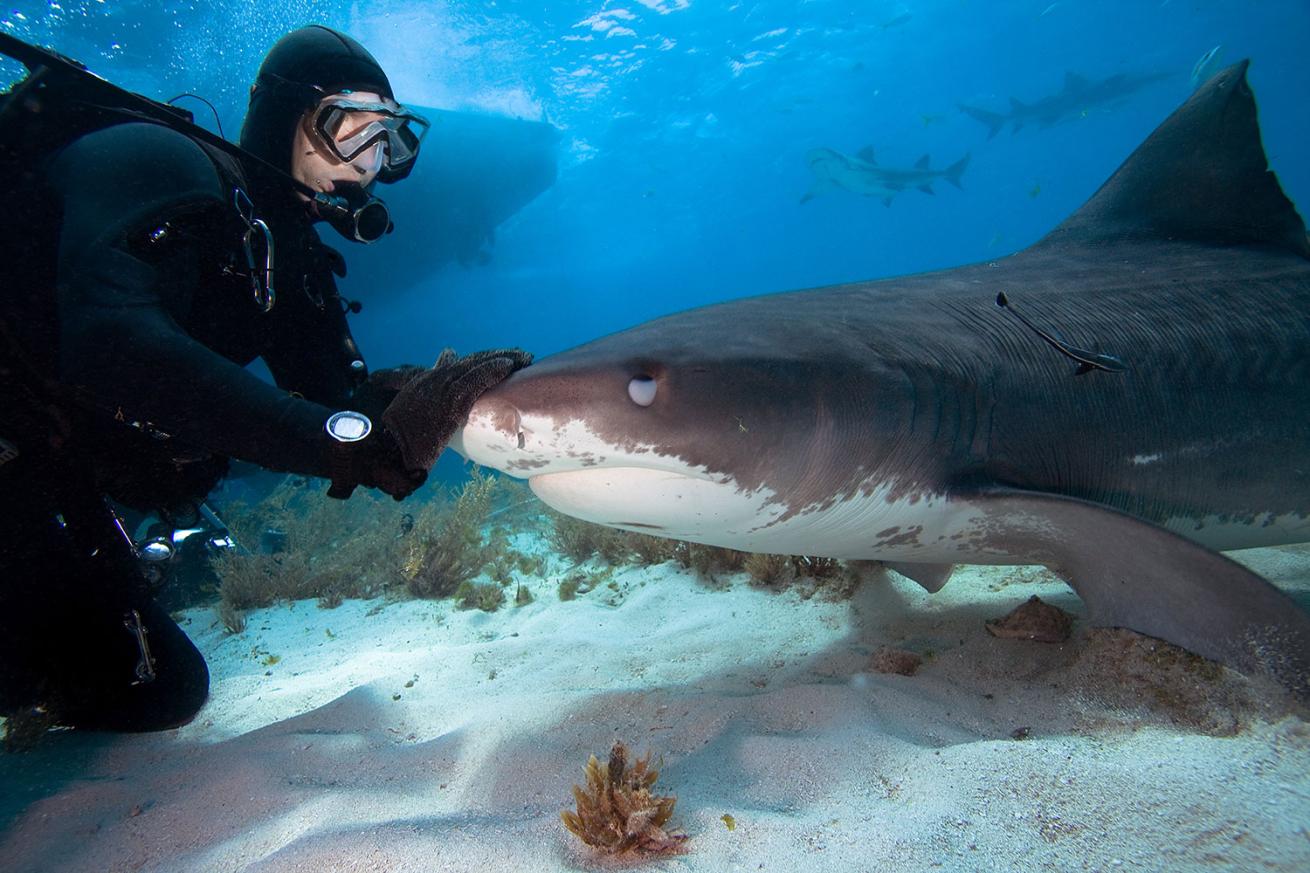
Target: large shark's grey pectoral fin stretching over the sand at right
[1136, 575]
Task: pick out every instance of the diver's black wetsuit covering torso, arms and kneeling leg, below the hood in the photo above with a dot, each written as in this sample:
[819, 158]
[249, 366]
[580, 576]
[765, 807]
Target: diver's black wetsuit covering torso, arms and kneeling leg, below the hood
[151, 324]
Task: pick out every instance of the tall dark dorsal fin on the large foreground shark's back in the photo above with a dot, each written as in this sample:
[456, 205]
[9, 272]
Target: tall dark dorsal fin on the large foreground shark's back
[1202, 176]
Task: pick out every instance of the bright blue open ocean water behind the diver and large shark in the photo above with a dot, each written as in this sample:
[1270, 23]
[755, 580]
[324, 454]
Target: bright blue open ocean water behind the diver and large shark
[684, 130]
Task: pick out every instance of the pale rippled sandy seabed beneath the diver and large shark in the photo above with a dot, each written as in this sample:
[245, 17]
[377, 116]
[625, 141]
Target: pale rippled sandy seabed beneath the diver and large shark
[413, 737]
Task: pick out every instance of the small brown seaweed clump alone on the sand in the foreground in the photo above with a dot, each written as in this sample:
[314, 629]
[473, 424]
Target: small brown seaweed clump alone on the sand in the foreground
[618, 813]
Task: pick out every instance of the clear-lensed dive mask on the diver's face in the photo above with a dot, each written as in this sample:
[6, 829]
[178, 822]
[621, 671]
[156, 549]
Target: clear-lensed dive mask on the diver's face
[350, 128]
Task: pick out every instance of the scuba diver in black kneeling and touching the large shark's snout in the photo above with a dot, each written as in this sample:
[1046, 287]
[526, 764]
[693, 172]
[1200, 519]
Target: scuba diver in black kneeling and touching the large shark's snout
[153, 263]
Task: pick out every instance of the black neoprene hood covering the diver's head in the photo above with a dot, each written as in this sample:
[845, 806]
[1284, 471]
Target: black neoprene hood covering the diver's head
[302, 62]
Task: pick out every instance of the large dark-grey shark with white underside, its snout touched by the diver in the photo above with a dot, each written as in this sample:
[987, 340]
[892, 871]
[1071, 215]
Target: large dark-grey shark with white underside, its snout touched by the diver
[1118, 403]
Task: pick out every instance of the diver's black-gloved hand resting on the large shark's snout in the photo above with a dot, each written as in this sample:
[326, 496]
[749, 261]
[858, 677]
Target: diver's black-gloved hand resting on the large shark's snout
[433, 406]
